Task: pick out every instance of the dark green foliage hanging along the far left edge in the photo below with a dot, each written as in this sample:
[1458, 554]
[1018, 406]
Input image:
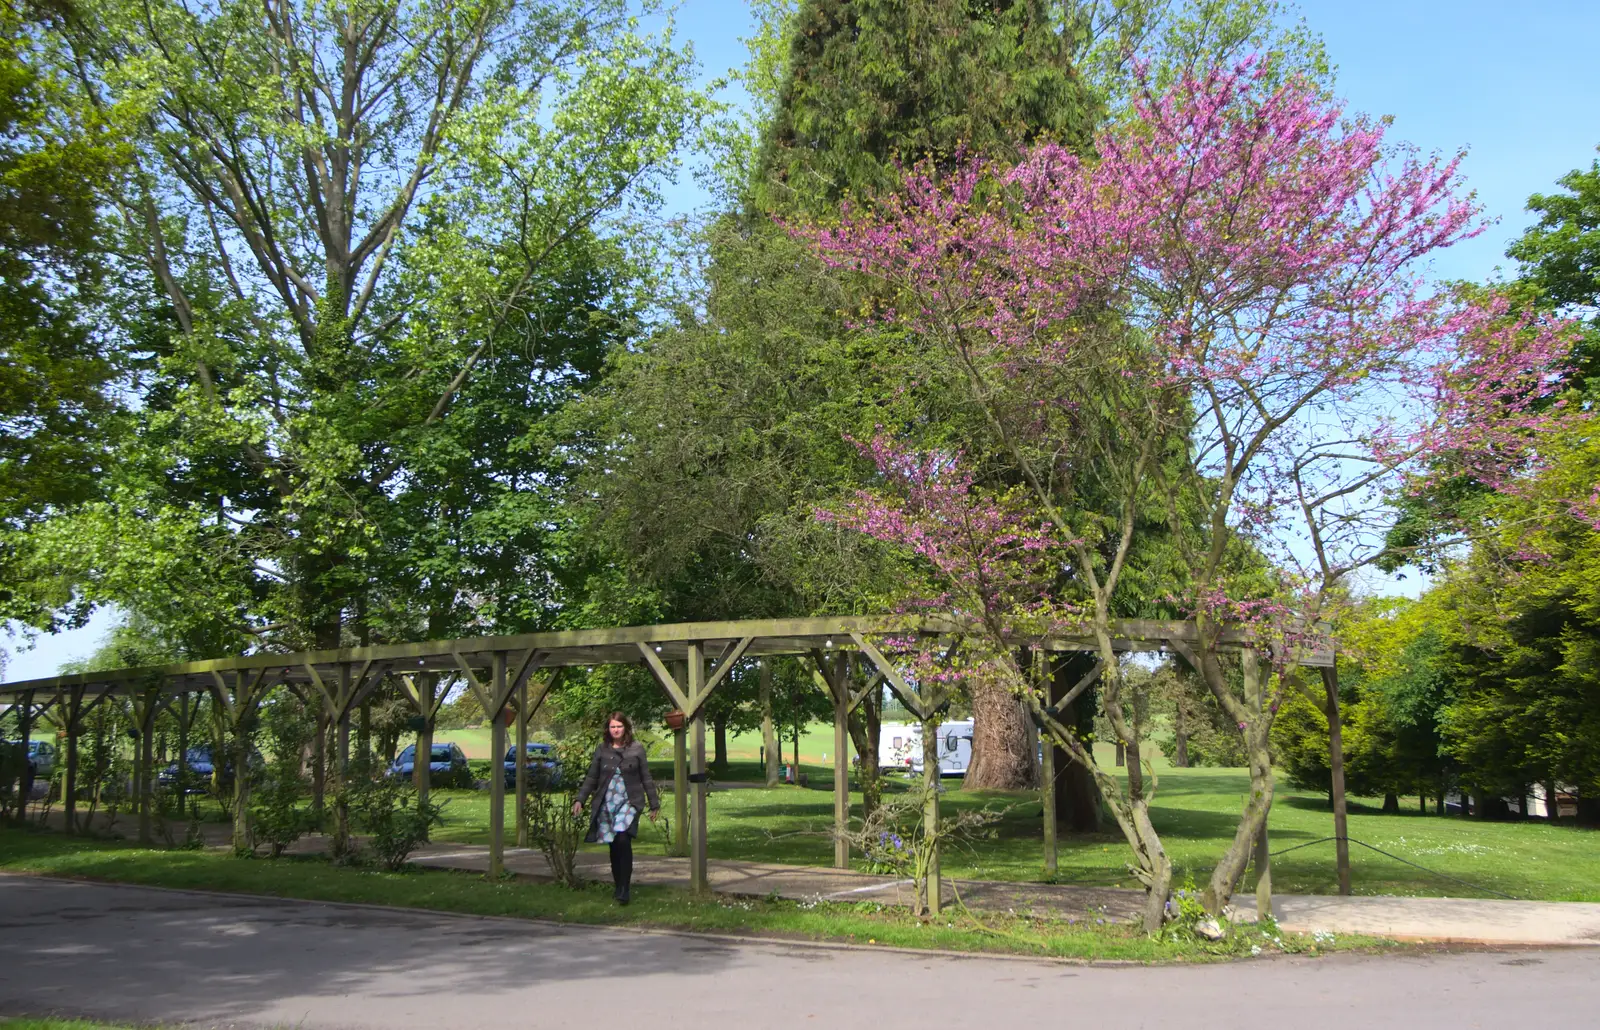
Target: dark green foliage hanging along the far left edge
[57, 407]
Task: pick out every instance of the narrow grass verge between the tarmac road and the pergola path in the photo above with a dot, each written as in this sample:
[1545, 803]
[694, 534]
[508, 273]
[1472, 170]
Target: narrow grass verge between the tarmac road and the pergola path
[34, 852]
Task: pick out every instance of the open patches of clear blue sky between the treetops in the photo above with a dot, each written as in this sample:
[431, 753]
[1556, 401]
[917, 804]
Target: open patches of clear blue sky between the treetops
[1514, 84]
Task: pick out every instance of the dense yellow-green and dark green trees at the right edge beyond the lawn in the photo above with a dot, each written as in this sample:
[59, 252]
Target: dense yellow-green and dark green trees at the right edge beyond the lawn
[1495, 669]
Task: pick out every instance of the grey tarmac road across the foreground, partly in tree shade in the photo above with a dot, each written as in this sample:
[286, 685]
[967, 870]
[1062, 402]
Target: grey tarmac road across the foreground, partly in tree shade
[140, 956]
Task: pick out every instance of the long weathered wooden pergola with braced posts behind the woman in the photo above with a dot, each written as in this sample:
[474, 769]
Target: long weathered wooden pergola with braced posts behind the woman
[513, 676]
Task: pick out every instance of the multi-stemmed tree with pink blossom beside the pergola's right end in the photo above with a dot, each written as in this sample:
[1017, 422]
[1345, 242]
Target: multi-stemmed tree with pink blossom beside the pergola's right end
[1223, 324]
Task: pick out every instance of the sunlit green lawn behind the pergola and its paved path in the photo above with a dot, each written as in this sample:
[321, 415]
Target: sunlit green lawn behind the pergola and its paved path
[1196, 813]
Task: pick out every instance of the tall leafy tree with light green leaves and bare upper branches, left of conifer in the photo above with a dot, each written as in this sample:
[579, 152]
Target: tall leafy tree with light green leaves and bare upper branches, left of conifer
[382, 242]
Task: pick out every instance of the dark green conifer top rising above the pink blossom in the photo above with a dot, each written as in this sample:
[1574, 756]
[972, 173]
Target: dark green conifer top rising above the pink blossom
[871, 86]
